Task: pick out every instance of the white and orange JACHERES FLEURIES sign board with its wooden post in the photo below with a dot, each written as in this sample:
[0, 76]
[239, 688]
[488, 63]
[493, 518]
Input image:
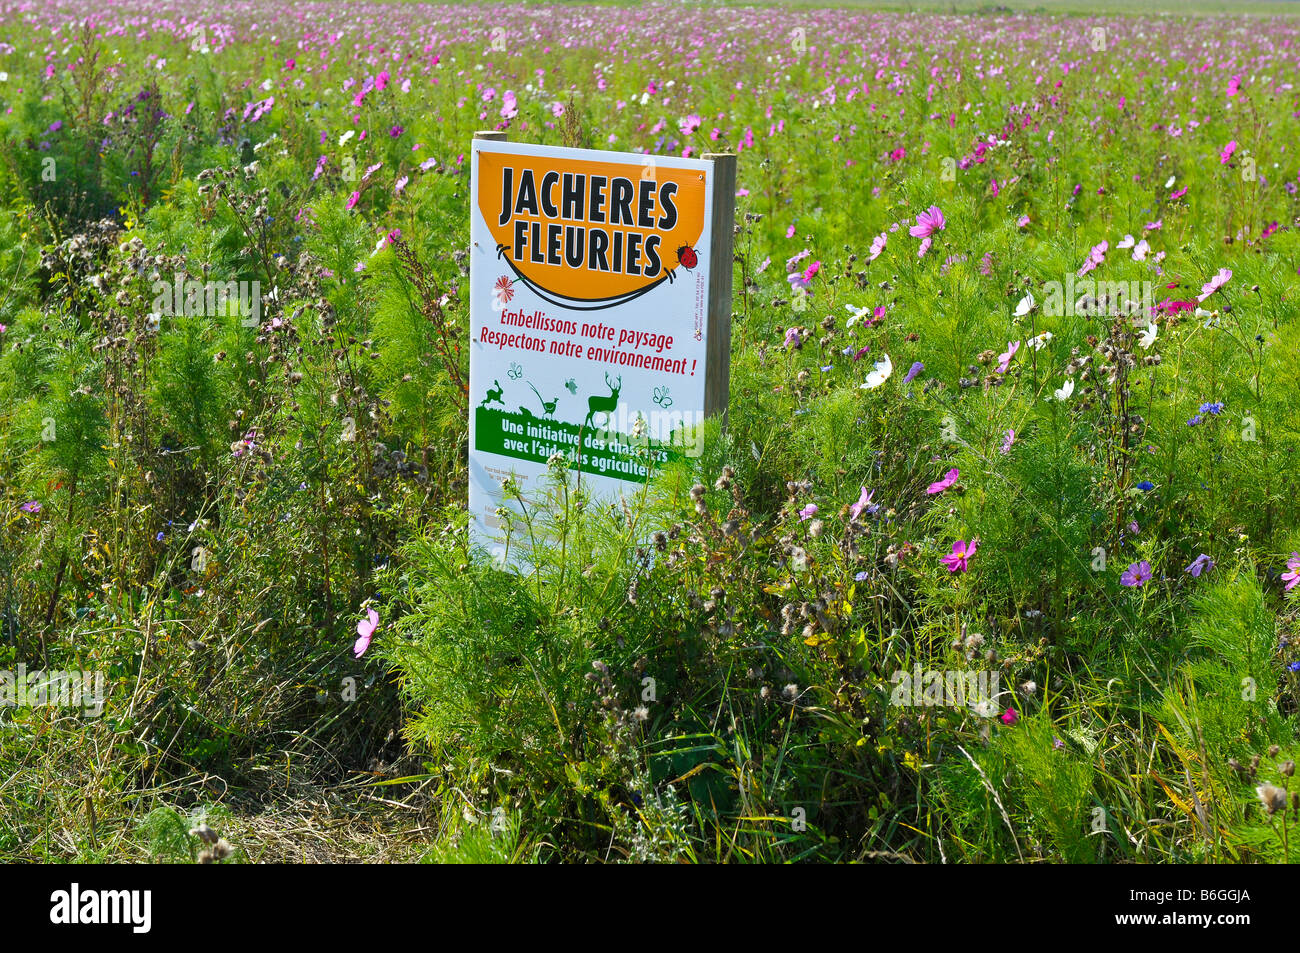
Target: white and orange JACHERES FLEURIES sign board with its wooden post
[591, 319]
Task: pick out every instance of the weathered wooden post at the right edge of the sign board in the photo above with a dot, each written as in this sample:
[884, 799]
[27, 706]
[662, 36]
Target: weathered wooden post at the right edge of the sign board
[718, 350]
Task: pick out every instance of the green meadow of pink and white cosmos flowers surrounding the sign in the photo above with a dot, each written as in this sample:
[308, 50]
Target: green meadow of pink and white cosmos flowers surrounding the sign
[995, 560]
